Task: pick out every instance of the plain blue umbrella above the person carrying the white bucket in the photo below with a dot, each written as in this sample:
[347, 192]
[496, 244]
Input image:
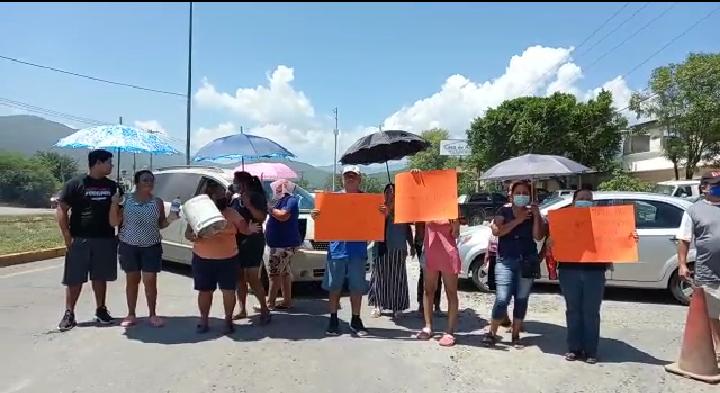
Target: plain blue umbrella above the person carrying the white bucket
[239, 147]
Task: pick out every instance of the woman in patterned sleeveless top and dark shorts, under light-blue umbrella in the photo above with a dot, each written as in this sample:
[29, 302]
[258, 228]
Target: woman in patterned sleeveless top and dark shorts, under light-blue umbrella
[140, 219]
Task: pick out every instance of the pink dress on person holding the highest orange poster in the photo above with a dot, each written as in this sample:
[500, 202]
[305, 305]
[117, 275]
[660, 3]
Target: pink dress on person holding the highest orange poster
[440, 248]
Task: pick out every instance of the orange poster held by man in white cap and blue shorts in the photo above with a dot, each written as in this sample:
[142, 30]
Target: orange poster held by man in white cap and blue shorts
[349, 217]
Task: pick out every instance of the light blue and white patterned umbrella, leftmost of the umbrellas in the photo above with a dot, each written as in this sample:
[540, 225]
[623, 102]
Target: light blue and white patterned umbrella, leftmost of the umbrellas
[119, 138]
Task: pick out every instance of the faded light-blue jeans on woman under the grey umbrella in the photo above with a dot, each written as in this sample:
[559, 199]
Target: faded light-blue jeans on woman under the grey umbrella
[510, 284]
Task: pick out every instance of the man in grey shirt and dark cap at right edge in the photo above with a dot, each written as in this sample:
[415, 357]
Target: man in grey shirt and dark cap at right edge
[701, 223]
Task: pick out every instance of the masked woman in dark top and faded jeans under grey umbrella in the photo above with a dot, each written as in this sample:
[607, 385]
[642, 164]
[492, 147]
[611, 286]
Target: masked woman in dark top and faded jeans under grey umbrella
[517, 227]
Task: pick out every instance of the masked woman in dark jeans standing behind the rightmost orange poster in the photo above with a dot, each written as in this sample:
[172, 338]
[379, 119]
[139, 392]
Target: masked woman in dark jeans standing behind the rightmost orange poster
[582, 285]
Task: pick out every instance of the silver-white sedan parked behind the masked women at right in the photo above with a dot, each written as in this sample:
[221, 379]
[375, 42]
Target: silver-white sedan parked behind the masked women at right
[658, 218]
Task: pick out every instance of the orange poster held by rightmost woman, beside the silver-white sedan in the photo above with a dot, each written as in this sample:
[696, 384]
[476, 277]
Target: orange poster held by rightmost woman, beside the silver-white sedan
[594, 235]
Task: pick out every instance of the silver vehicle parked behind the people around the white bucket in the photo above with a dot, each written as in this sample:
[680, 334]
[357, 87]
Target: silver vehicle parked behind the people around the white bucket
[185, 182]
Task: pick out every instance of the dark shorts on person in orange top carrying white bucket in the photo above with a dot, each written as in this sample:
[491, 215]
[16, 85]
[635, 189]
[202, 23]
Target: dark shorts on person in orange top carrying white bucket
[211, 274]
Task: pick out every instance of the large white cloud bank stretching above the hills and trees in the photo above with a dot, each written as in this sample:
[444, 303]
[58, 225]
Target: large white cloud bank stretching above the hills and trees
[280, 112]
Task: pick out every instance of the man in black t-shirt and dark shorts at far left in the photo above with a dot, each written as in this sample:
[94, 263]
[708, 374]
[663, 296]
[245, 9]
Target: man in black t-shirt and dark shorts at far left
[90, 240]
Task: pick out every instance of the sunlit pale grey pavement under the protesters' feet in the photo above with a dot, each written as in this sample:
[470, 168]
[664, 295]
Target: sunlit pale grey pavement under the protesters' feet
[641, 332]
